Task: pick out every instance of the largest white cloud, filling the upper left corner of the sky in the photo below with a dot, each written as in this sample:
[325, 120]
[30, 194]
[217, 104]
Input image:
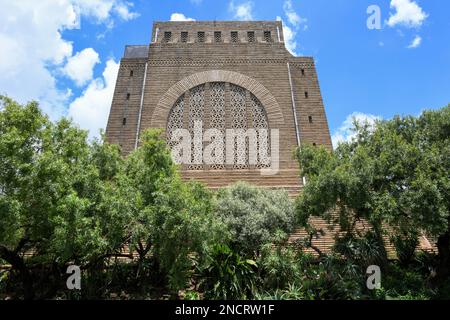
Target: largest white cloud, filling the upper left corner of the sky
[33, 48]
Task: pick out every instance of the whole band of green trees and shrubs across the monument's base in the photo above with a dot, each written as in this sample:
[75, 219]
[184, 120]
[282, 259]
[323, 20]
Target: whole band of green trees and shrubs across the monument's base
[137, 230]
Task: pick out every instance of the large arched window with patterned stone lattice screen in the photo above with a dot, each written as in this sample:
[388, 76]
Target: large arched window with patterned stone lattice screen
[221, 106]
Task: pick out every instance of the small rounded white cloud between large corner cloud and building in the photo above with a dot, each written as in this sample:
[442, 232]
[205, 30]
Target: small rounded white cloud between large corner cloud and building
[80, 67]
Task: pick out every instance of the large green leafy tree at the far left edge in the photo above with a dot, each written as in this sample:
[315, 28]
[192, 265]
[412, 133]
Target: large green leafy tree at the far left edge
[51, 185]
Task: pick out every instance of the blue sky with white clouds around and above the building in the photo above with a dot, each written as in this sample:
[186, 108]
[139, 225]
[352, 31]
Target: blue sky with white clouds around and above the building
[65, 53]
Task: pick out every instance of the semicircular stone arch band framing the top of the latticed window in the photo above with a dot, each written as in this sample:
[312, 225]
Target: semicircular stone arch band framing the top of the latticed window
[168, 100]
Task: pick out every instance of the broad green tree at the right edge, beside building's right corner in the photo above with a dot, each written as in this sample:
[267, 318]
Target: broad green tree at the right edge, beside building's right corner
[395, 176]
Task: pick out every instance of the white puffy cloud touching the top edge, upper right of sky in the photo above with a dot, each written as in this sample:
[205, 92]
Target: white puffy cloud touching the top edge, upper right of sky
[408, 13]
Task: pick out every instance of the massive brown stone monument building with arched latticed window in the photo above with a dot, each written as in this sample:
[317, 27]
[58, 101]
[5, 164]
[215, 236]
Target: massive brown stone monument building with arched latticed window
[226, 75]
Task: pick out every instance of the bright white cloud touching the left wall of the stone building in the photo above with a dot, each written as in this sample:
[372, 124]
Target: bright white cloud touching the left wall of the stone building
[90, 111]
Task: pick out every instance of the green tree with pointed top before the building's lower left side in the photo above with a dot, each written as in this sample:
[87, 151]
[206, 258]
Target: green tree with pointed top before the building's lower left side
[172, 220]
